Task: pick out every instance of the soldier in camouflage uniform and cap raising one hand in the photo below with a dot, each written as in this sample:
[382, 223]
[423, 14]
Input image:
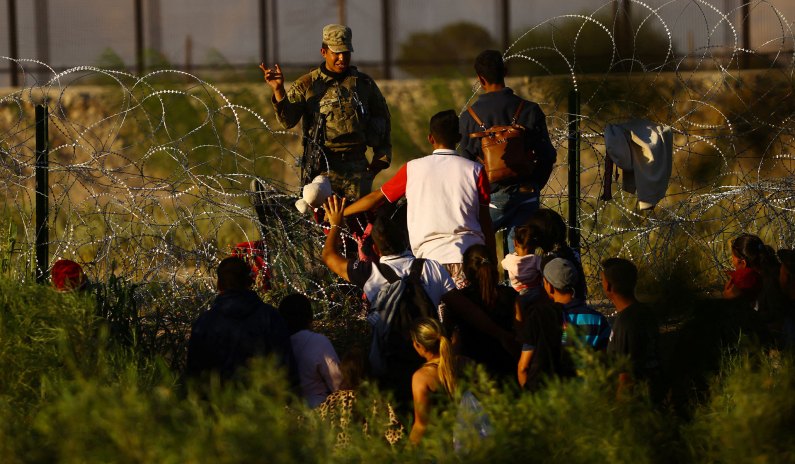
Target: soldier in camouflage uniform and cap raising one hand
[343, 112]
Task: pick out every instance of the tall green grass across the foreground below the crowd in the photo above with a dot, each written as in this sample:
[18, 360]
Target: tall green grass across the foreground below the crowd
[72, 391]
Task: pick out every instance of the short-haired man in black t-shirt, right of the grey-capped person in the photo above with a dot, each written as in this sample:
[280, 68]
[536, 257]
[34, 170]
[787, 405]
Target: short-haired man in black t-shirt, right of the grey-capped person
[635, 330]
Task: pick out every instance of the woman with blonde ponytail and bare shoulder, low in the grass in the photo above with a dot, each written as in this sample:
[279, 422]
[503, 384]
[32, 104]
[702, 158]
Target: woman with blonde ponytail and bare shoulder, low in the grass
[436, 376]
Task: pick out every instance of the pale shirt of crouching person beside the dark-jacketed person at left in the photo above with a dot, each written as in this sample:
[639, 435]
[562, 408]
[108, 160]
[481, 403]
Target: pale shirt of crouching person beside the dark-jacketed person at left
[318, 366]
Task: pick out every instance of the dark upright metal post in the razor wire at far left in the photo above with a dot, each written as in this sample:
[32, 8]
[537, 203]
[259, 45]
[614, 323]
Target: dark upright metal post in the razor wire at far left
[42, 194]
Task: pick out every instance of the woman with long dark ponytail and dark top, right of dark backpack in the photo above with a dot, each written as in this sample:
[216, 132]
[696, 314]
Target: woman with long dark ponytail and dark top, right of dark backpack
[497, 303]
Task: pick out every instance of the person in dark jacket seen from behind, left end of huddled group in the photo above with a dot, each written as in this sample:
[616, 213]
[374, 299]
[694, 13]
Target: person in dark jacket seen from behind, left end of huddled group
[238, 326]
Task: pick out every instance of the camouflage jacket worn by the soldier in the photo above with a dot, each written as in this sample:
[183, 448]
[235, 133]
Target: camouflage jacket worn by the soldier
[355, 111]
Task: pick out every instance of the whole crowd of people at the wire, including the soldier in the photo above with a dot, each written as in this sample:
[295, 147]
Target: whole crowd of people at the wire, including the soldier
[438, 300]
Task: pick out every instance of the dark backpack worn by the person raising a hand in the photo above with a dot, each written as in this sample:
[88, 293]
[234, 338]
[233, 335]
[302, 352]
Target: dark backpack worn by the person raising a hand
[402, 300]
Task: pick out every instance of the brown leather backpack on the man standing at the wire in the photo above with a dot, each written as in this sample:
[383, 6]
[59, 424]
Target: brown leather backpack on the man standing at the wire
[504, 155]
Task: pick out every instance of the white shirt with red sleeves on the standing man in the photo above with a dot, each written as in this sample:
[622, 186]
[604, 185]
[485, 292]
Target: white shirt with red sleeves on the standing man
[444, 193]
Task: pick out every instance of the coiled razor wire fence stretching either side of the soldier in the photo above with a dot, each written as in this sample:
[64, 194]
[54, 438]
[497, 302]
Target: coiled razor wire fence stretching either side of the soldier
[150, 175]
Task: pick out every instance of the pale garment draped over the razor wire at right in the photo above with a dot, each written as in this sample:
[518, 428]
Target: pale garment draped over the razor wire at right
[644, 151]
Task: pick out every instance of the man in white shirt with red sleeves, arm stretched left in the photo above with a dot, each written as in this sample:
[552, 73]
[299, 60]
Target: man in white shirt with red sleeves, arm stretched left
[447, 199]
